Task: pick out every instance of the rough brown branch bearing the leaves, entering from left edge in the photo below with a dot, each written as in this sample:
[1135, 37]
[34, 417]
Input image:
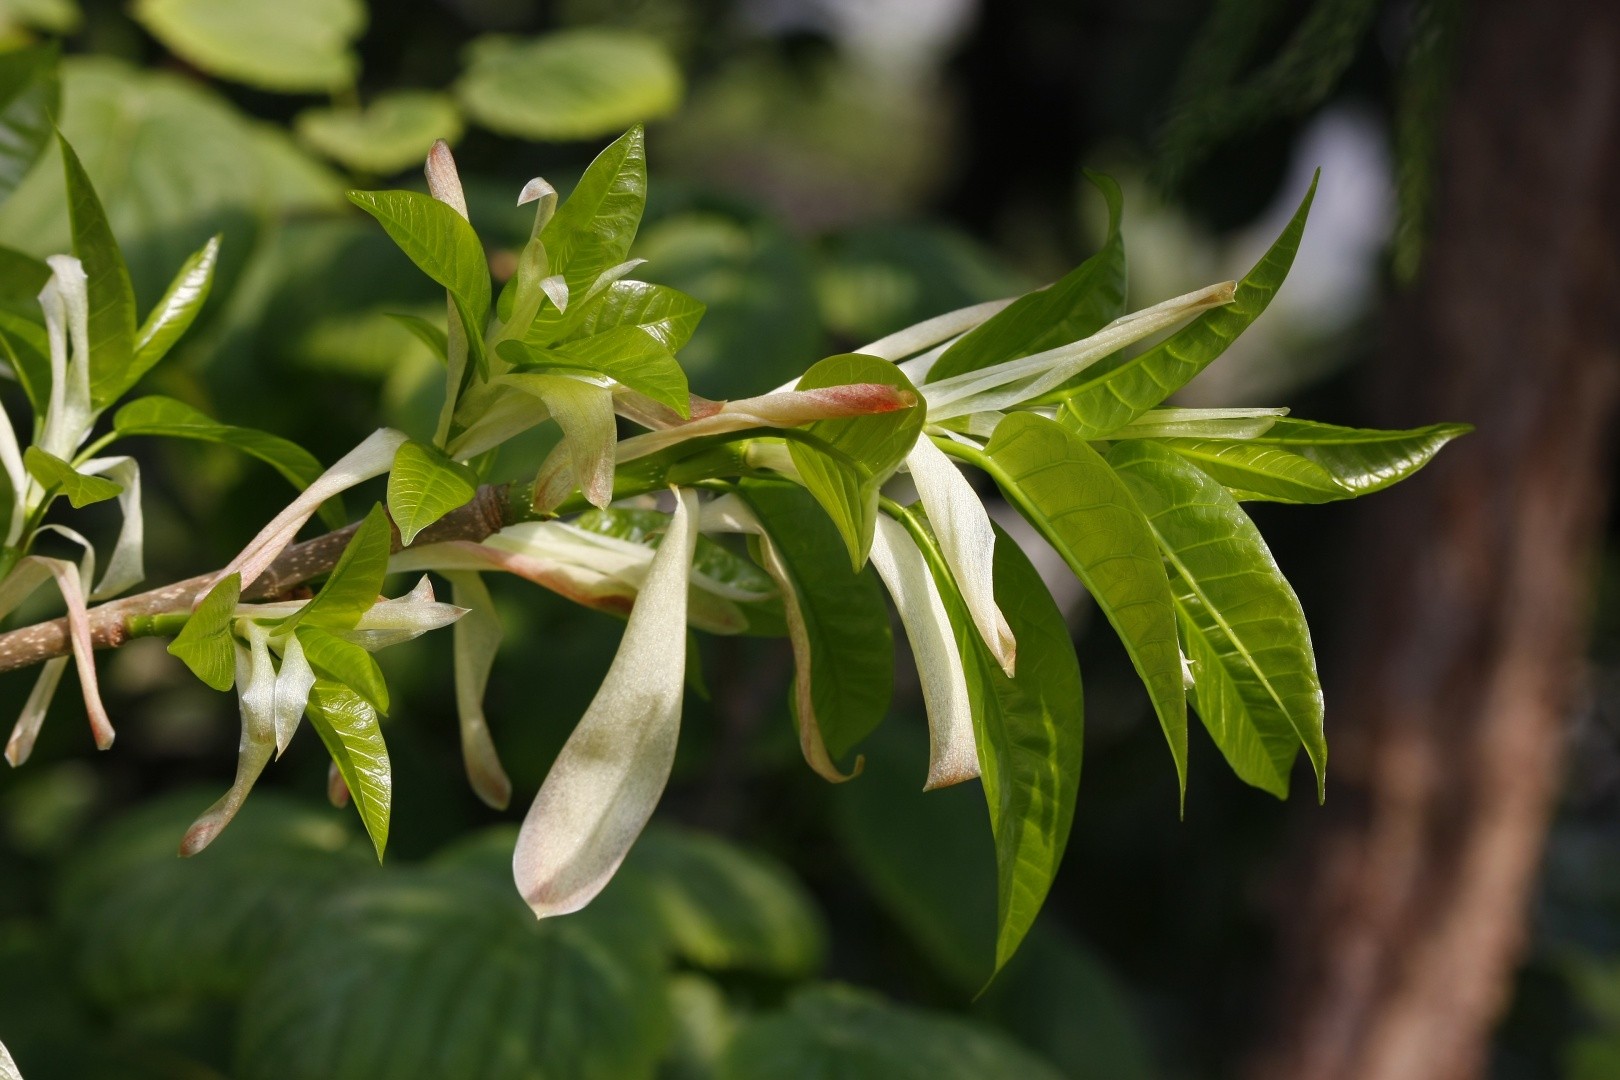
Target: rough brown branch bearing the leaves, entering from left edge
[25, 647]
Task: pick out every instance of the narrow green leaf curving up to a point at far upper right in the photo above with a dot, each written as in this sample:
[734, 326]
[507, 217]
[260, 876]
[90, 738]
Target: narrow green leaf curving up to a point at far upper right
[1117, 391]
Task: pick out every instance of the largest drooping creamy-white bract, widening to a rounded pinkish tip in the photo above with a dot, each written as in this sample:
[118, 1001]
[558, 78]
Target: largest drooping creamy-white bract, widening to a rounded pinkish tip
[613, 770]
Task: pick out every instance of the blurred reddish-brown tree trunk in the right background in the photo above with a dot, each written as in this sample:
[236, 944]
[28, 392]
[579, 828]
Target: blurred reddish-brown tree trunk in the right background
[1473, 584]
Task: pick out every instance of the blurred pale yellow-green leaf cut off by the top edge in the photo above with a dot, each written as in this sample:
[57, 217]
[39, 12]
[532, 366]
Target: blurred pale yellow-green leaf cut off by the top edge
[288, 46]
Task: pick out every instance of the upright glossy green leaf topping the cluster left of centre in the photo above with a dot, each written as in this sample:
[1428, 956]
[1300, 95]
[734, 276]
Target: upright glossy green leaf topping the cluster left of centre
[594, 229]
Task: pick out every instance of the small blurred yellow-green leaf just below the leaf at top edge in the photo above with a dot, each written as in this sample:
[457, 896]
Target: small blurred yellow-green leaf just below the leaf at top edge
[391, 134]
